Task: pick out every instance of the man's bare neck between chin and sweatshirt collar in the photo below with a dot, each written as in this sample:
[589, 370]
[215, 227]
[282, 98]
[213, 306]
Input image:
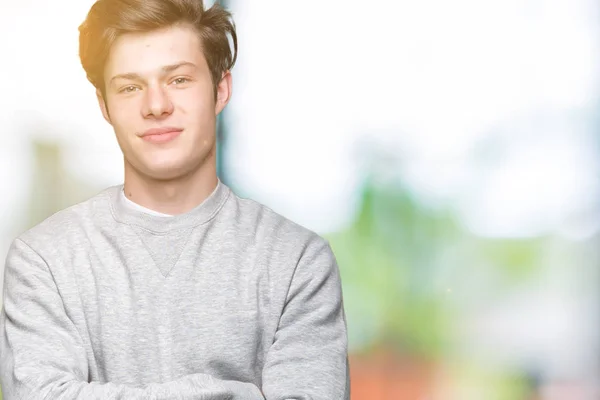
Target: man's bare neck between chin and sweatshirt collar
[171, 196]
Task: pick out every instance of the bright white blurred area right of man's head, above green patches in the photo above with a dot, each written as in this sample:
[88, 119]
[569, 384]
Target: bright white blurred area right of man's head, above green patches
[430, 79]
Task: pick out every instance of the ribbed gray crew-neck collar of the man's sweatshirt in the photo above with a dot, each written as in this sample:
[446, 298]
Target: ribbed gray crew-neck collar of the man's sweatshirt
[196, 216]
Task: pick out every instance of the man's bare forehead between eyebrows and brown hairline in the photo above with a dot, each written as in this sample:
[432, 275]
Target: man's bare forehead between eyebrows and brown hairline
[146, 53]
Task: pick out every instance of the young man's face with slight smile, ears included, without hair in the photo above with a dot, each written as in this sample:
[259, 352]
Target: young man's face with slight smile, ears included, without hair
[160, 101]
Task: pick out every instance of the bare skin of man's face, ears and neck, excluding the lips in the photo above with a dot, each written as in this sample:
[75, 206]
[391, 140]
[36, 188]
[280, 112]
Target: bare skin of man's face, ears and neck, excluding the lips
[161, 79]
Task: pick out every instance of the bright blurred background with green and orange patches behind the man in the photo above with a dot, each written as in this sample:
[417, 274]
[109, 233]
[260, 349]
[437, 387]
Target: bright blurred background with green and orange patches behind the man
[449, 151]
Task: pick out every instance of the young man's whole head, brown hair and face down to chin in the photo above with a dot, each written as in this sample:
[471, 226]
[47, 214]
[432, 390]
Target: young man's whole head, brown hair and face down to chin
[160, 64]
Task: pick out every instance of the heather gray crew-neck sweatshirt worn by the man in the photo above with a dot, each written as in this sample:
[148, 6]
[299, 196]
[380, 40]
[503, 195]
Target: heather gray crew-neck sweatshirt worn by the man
[227, 301]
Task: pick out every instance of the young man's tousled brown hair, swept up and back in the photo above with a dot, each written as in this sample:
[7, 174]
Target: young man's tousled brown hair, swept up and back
[108, 19]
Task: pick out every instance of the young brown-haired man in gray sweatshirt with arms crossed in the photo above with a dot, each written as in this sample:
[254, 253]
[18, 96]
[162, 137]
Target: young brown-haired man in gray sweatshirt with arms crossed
[169, 286]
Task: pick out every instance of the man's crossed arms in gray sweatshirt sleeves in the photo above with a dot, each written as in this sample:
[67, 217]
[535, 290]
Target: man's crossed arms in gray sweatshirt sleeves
[42, 356]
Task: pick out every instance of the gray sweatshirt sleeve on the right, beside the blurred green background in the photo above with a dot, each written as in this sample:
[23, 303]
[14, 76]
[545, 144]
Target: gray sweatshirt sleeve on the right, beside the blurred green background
[308, 359]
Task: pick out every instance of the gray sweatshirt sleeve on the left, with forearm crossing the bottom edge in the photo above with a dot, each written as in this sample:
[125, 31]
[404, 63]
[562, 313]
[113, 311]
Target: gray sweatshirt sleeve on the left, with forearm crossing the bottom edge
[42, 355]
